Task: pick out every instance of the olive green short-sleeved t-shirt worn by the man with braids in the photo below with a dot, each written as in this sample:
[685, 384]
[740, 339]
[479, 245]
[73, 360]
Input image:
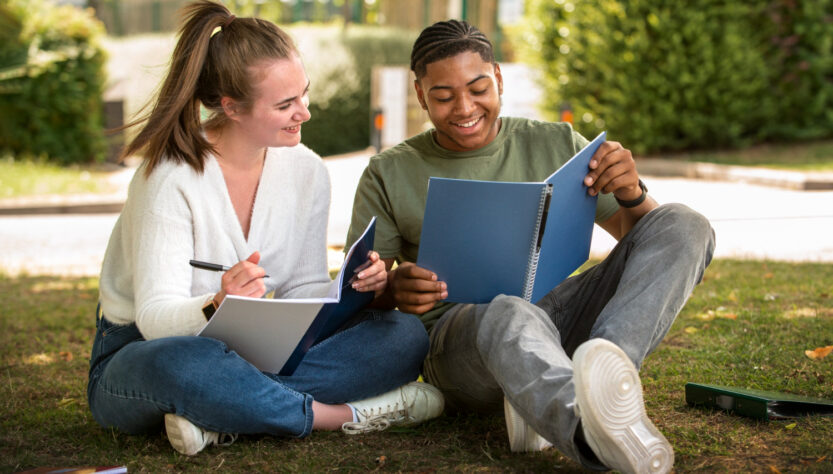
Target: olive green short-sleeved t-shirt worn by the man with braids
[394, 186]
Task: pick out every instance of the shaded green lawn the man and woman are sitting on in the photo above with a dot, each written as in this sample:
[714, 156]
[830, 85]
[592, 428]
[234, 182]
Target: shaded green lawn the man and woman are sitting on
[747, 325]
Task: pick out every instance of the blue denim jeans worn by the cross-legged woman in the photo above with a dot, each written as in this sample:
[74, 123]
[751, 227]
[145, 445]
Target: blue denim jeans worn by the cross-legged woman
[133, 382]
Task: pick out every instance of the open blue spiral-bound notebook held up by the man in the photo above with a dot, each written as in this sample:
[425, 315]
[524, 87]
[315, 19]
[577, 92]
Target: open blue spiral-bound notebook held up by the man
[485, 238]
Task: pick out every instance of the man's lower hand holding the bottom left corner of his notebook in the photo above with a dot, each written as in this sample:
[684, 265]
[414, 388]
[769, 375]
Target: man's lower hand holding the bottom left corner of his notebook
[415, 290]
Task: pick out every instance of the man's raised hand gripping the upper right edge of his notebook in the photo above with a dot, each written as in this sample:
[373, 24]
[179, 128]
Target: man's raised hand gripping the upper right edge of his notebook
[613, 170]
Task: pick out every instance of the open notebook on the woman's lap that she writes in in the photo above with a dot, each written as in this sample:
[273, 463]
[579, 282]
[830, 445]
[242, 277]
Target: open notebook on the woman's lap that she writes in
[274, 335]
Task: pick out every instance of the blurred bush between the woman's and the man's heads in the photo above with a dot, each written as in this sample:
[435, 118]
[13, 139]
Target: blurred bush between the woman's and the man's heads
[339, 62]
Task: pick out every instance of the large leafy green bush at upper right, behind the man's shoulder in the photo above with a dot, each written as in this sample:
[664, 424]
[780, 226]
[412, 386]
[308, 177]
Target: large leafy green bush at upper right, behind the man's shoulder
[664, 75]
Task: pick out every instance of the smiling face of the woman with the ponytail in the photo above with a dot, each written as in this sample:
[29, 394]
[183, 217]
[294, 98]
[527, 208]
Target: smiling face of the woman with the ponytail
[280, 103]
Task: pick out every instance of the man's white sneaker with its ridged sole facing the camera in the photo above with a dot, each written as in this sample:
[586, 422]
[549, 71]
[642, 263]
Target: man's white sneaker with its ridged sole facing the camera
[609, 403]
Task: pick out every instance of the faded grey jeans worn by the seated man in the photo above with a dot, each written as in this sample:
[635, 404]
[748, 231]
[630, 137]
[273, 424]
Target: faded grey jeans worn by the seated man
[511, 348]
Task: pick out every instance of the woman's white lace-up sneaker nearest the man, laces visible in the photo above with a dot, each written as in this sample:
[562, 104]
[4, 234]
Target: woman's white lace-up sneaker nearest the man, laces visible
[407, 405]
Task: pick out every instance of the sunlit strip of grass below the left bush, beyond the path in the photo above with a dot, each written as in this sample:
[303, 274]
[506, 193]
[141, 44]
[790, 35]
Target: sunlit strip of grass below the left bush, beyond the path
[30, 178]
